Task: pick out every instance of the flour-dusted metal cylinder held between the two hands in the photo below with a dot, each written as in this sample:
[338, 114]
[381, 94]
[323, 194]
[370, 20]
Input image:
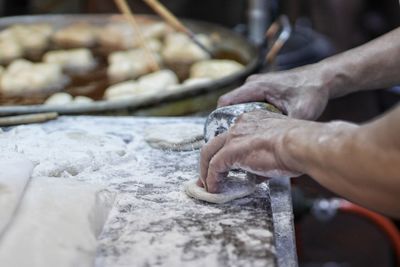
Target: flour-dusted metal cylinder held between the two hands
[222, 118]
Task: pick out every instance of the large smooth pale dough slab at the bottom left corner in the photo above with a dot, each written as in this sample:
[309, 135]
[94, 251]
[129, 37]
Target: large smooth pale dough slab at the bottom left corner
[57, 225]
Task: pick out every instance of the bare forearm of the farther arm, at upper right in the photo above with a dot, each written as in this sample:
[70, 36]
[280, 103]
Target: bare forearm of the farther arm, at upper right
[371, 66]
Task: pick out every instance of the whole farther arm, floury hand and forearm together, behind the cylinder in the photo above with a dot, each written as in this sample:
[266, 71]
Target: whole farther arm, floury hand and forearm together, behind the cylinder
[303, 93]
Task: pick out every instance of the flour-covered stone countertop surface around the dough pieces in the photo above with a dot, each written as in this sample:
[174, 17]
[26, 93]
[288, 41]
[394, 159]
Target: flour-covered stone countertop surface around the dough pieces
[152, 222]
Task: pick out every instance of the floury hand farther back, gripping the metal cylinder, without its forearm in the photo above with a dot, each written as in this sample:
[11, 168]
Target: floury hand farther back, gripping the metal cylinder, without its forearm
[300, 93]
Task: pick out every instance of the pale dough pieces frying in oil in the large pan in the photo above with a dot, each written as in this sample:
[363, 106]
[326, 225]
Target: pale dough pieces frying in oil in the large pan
[128, 71]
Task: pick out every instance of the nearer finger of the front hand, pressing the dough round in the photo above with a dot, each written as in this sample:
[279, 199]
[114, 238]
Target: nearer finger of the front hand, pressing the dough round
[218, 169]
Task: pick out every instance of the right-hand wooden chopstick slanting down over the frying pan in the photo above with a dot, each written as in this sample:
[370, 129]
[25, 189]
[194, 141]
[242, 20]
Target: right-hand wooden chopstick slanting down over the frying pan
[174, 22]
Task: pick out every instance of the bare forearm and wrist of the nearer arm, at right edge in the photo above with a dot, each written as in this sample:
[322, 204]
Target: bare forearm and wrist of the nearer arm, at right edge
[360, 163]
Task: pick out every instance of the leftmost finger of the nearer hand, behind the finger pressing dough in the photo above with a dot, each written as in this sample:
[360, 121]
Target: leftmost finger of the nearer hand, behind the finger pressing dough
[207, 152]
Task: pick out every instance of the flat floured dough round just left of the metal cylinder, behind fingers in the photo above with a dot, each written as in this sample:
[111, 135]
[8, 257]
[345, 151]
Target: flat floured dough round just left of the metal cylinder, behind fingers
[175, 137]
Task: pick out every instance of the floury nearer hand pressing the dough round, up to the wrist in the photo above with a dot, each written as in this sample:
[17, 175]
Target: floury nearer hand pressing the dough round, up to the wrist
[255, 143]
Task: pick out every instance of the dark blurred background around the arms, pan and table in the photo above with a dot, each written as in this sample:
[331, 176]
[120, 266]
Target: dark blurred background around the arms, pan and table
[322, 28]
